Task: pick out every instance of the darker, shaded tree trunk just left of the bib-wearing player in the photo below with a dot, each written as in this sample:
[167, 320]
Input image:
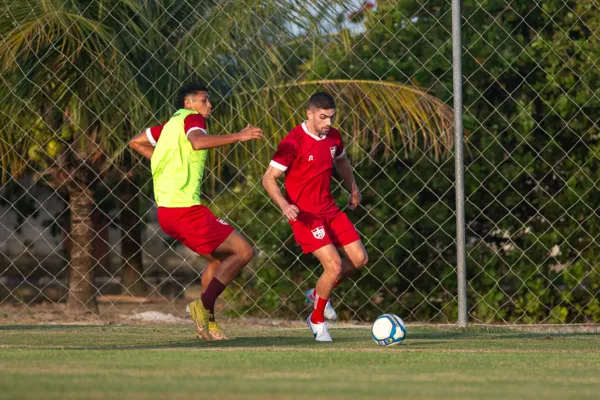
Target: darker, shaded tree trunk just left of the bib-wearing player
[131, 241]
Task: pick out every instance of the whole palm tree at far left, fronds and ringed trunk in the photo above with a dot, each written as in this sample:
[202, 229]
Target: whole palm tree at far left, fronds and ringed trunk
[65, 78]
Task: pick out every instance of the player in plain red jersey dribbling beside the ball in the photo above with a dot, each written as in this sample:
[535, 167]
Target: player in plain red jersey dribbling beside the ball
[307, 156]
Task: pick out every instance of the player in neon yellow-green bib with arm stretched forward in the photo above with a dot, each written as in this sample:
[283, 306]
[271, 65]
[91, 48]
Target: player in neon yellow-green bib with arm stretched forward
[177, 152]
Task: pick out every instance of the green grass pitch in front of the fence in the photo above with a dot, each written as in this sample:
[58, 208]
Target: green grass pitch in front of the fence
[62, 362]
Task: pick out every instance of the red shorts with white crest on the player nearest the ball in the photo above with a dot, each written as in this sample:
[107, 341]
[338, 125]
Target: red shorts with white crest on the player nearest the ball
[313, 232]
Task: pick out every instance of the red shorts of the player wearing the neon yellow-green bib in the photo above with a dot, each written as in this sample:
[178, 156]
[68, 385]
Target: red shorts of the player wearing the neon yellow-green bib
[196, 227]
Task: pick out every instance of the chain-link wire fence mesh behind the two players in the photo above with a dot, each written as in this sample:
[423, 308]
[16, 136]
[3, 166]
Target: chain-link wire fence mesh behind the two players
[78, 228]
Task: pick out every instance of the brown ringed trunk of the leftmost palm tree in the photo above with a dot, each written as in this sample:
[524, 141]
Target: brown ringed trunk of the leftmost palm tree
[82, 293]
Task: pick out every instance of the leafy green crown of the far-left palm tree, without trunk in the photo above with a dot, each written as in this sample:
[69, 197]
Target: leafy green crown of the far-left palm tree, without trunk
[64, 66]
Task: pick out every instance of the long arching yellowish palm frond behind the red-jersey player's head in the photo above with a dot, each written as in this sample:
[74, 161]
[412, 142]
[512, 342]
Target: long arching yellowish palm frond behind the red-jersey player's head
[378, 118]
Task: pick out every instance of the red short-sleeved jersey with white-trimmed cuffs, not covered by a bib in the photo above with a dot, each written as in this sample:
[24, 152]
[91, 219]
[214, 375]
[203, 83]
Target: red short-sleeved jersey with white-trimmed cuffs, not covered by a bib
[308, 164]
